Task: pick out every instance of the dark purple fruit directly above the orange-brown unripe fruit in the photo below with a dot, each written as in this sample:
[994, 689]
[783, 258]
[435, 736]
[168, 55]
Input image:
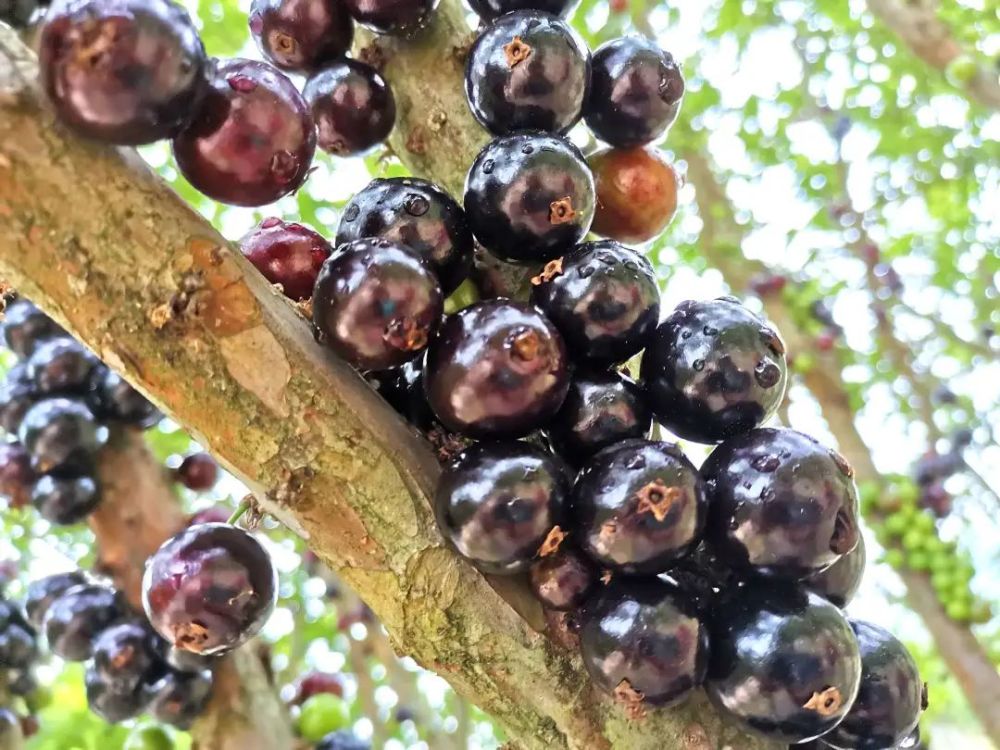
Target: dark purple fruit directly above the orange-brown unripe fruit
[635, 92]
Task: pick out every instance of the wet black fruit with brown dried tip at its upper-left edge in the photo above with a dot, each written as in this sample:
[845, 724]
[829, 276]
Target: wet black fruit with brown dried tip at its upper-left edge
[603, 298]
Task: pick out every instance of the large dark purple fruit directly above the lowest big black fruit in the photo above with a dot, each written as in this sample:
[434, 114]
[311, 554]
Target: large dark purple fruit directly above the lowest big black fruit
[782, 504]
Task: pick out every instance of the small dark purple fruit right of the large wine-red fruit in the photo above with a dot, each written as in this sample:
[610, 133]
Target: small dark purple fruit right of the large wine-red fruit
[352, 105]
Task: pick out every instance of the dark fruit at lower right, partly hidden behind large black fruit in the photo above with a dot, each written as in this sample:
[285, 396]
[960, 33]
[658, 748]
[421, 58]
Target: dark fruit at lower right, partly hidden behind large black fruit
[891, 696]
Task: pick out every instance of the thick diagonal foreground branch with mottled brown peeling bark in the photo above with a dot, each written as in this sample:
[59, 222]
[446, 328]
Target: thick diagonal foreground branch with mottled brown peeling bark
[100, 243]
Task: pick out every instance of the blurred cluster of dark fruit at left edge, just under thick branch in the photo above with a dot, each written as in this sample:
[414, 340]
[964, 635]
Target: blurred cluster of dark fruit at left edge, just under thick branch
[58, 401]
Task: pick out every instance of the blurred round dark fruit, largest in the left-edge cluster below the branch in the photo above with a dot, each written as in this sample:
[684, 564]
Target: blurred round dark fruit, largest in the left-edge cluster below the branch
[61, 435]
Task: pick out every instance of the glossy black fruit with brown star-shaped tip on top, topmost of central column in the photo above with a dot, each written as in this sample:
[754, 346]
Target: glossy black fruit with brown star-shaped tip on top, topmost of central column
[528, 70]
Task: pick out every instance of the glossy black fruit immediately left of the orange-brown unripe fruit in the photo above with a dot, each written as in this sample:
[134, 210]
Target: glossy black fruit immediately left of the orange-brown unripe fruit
[529, 196]
